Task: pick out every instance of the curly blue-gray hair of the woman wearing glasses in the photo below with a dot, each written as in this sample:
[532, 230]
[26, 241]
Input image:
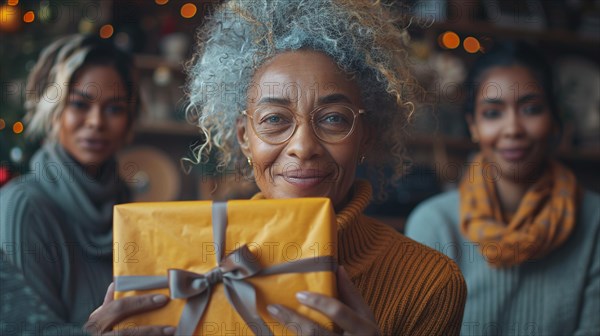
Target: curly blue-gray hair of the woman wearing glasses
[361, 36]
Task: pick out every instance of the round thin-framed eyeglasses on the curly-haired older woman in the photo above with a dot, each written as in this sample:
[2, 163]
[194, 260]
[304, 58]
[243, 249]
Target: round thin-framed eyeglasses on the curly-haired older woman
[276, 124]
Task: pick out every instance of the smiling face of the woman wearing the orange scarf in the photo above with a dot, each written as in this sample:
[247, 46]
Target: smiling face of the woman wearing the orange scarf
[512, 122]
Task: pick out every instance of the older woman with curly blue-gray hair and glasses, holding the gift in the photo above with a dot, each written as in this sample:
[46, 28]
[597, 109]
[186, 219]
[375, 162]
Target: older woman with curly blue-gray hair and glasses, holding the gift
[302, 92]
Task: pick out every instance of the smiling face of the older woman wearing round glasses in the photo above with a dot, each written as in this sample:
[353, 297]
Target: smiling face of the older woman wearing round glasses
[304, 165]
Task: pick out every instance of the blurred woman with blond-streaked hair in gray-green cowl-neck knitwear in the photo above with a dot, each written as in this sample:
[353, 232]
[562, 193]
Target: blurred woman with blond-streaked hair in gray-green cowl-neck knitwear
[56, 221]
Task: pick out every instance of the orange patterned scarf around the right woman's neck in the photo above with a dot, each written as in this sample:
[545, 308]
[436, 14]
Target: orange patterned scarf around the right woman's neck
[543, 221]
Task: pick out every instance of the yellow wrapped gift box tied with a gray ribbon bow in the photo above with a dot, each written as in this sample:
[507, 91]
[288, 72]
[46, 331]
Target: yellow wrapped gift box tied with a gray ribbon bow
[222, 255]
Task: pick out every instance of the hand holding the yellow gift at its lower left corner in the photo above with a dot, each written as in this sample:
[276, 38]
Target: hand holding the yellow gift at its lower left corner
[112, 312]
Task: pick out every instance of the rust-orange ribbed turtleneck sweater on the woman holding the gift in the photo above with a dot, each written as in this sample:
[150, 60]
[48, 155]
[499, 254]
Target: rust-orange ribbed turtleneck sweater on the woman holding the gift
[412, 289]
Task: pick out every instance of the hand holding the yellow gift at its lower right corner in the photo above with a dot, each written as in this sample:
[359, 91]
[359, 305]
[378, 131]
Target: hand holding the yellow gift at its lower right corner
[350, 313]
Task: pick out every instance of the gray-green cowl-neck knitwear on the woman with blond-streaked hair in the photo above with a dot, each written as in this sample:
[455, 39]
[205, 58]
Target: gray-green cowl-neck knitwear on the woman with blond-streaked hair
[56, 228]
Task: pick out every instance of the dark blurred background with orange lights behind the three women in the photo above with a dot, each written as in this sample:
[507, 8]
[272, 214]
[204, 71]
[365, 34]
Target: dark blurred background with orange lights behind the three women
[446, 35]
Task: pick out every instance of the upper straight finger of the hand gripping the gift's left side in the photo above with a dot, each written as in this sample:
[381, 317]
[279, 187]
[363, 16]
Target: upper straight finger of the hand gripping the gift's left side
[115, 311]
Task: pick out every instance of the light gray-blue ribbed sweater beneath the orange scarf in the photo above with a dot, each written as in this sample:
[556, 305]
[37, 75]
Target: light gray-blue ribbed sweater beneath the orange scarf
[557, 295]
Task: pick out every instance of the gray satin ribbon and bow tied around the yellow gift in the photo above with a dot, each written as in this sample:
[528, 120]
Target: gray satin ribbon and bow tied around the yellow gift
[231, 270]
